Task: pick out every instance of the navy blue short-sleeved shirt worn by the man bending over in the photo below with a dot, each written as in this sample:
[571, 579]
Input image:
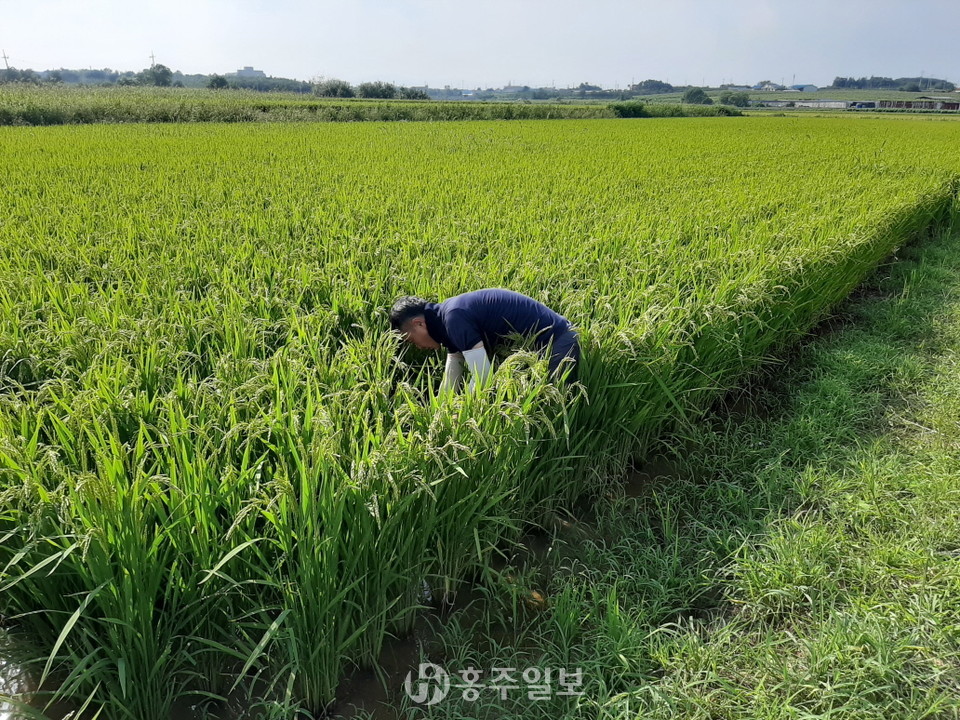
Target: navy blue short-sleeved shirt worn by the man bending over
[490, 315]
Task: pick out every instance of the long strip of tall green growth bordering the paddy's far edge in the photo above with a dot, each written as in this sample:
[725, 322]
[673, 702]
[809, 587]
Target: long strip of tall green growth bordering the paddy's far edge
[43, 105]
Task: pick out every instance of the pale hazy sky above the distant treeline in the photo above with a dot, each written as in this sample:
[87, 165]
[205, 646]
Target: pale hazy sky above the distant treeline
[489, 43]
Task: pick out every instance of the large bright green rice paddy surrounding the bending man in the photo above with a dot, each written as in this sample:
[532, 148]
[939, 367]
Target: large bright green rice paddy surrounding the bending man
[219, 471]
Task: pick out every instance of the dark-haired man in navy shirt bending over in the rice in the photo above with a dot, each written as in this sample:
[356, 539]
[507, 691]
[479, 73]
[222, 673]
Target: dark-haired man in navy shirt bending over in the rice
[471, 326]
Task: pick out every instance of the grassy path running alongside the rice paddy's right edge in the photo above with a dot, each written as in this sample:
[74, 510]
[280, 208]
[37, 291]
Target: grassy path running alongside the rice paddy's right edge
[798, 558]
